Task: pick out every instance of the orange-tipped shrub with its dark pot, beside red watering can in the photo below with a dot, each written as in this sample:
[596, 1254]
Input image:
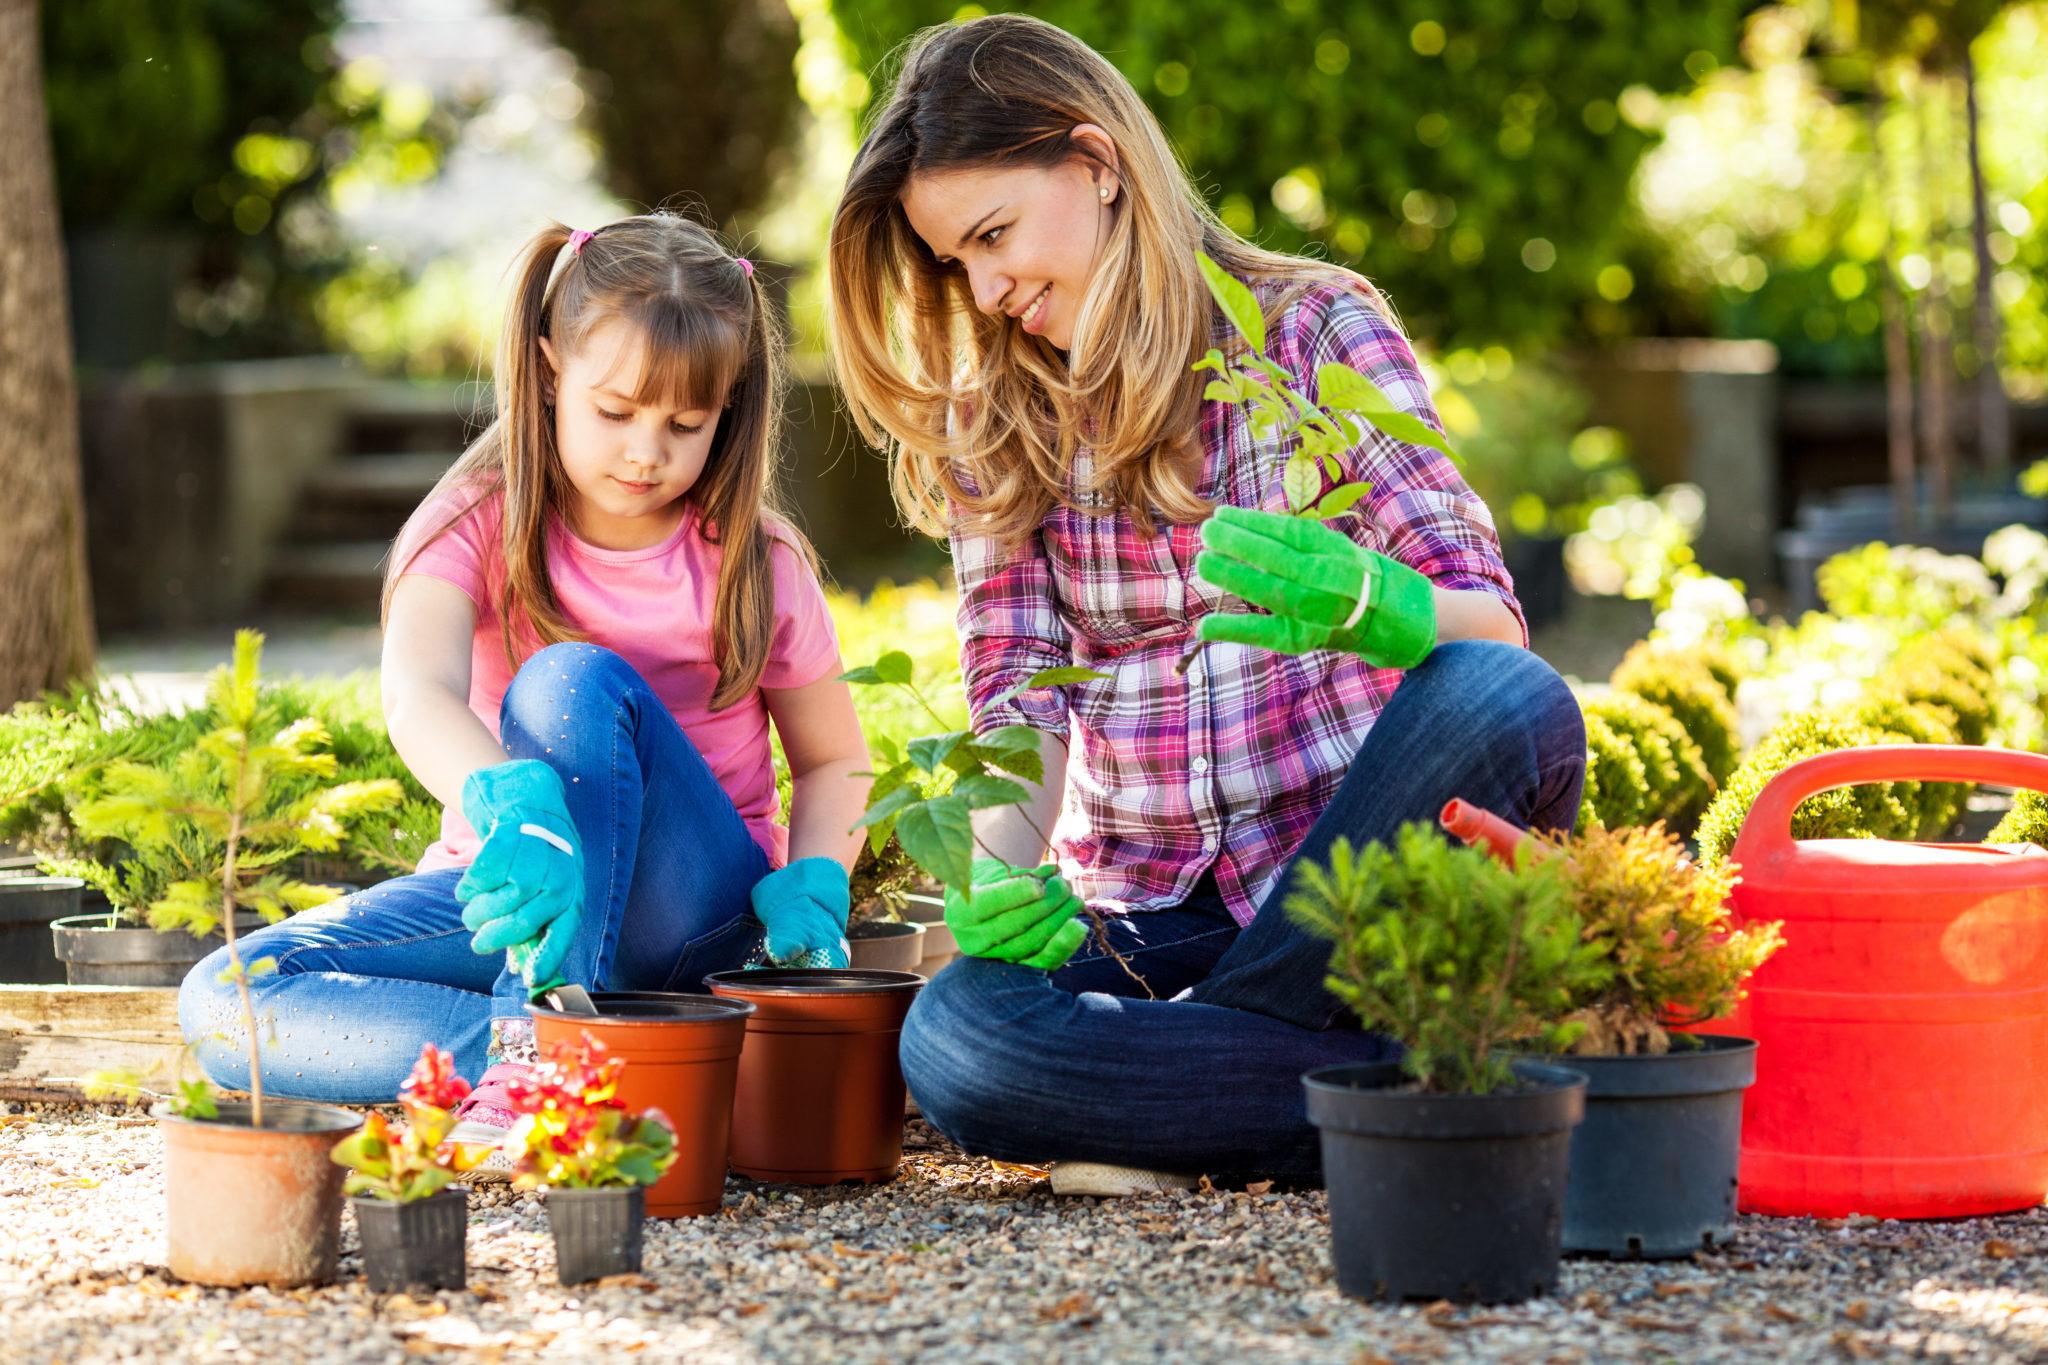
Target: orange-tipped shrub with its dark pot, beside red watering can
[1654, 1163]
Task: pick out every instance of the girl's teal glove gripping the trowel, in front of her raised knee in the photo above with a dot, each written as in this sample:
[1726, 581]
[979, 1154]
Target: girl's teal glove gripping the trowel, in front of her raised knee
[527, 881]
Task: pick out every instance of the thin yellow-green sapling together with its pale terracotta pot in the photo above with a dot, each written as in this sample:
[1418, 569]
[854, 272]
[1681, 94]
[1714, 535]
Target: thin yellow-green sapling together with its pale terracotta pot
[284, 1225]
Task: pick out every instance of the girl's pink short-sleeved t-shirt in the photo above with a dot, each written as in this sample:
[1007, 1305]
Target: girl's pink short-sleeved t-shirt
[652, 609]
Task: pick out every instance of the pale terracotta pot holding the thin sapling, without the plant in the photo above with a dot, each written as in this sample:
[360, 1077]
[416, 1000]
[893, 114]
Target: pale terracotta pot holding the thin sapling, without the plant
[255, 1206]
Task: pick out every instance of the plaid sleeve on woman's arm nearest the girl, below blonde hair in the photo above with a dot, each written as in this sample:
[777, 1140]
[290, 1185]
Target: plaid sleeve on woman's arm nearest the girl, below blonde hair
[1011, 629]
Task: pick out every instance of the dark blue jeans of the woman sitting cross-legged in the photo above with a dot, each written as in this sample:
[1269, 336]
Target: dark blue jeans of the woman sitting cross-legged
[1025, 1065]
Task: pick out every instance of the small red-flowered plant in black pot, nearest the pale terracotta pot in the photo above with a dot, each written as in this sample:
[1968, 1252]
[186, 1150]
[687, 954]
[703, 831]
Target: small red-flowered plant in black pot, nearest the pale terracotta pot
[413, 1223]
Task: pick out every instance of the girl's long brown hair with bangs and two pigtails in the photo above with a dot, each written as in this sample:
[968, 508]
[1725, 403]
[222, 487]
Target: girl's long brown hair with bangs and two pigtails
[712, 343]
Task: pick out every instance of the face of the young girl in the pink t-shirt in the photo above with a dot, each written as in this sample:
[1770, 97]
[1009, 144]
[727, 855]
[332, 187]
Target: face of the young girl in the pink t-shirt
[630, 464]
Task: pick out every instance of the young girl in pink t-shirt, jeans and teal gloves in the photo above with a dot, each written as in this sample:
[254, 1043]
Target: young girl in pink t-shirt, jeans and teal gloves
[589, 627]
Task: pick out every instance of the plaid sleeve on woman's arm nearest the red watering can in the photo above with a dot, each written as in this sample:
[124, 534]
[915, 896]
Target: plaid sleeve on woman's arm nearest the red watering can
[1420, 509]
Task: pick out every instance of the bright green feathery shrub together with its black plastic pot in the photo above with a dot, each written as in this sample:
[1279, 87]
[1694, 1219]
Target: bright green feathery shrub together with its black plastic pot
[1447, 1170]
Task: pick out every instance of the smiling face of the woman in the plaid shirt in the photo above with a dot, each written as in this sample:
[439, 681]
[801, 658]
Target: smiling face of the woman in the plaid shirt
[1027, 236]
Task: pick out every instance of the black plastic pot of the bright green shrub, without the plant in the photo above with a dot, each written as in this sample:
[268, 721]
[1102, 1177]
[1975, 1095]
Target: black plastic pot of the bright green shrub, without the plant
[1445, 1196]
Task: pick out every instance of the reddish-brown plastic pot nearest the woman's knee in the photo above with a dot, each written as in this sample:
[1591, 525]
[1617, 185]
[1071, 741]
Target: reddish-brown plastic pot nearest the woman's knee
[820, 1088]
